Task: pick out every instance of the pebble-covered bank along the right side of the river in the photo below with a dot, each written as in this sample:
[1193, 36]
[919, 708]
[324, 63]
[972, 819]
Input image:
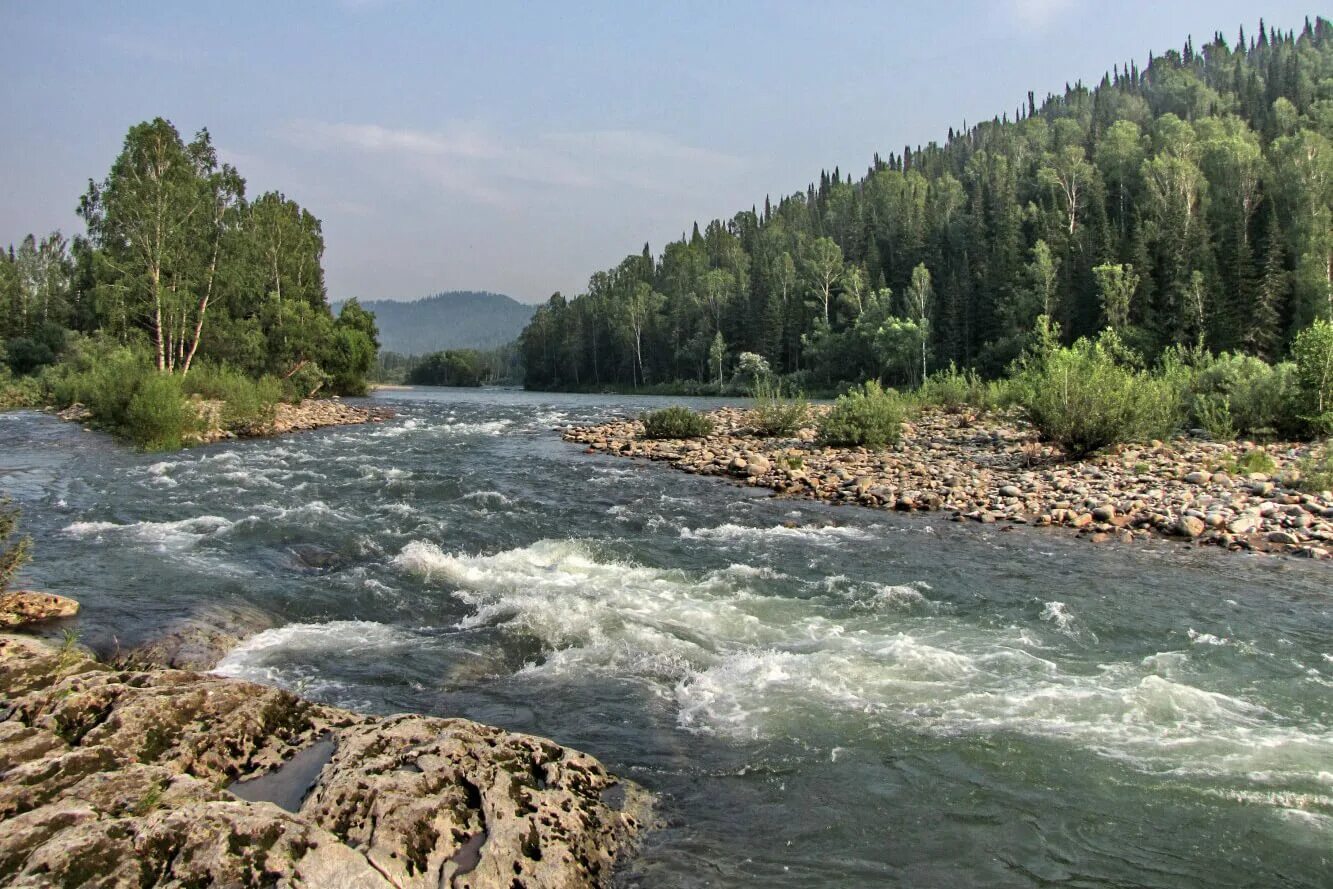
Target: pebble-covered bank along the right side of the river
[995, 470]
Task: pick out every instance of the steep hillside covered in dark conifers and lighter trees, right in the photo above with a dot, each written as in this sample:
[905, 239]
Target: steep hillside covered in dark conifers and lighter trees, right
[1183, 201]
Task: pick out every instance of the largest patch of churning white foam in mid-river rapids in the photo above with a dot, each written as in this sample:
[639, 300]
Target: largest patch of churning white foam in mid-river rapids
[740, 663]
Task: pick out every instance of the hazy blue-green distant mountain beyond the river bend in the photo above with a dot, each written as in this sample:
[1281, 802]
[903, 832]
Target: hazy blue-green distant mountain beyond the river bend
[453, 321]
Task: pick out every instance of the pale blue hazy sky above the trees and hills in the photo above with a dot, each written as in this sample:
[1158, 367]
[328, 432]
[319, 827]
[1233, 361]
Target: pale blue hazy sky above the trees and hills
[521, 147]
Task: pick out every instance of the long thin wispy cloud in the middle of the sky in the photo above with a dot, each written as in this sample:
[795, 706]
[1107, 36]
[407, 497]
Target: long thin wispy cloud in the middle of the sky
[479, 163]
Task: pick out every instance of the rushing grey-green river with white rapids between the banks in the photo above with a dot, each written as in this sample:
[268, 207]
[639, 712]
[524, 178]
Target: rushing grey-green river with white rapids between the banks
[822, 696]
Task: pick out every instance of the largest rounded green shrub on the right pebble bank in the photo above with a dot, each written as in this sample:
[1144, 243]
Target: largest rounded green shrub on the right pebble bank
[1090, 397]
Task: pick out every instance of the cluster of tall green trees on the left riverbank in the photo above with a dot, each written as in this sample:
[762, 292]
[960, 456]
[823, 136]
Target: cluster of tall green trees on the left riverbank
[181, 269]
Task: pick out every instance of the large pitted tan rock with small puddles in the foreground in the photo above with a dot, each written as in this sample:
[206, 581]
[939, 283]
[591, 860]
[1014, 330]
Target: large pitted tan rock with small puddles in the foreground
[122, 779]
